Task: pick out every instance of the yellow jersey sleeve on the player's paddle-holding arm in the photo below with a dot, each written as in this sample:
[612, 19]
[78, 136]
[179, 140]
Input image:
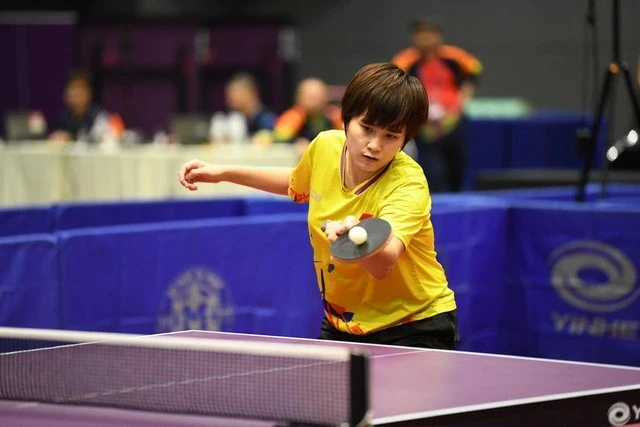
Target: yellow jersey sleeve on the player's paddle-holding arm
[406, 209]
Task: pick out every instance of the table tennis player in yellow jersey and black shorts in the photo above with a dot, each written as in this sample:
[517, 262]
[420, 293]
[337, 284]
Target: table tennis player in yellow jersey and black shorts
[399, 295]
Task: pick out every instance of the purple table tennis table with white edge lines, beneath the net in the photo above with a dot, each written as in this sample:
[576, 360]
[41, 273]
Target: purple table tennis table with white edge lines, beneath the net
[414, 387]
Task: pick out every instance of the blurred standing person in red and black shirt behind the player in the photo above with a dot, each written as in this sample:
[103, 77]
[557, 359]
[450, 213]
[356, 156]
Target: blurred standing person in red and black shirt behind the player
[449, 75]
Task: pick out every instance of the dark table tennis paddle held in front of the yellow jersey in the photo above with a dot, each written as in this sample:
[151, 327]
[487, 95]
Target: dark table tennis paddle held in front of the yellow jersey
[378, 235]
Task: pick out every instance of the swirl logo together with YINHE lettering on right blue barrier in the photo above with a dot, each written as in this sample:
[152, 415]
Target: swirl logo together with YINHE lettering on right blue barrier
[599, 281]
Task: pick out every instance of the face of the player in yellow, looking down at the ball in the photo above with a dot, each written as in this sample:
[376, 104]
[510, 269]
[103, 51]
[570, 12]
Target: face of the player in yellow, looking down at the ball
[370, 147]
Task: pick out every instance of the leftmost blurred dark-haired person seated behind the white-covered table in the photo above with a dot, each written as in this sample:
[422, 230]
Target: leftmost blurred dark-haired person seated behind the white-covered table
[81, 118]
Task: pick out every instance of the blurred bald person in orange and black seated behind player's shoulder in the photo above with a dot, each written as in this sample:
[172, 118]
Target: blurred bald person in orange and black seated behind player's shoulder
[311, 114]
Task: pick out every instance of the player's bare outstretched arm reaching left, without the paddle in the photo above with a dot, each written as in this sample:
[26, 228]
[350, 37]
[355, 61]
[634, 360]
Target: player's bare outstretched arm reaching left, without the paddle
[273, 179]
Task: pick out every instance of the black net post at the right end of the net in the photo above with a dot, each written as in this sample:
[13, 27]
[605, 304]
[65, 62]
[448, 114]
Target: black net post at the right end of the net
[359, 389]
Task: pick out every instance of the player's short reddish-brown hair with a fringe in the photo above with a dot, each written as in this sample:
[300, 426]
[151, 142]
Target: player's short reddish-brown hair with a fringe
[388, 97]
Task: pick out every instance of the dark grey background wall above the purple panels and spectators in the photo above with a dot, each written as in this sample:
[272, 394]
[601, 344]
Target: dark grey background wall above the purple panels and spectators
[531, 49]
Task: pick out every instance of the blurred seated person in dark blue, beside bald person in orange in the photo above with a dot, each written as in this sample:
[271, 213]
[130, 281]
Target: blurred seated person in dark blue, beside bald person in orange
[242, 95]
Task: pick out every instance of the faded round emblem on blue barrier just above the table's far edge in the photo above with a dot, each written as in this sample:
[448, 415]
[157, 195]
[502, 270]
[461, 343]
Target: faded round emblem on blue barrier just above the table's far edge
[197, 299]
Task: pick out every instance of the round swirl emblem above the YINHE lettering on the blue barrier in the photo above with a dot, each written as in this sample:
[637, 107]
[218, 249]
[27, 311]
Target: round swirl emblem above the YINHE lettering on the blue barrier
[618, 290]
